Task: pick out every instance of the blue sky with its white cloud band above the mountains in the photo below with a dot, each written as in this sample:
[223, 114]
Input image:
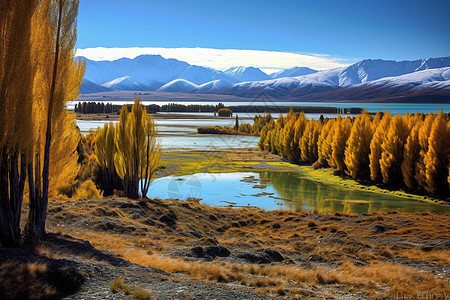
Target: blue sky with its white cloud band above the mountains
[274, 34]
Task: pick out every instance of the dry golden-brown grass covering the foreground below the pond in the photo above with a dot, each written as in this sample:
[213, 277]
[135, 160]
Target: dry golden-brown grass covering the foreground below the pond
[341, 241]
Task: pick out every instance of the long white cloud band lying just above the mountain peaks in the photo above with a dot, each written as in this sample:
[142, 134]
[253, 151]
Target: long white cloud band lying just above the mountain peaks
[221, 59]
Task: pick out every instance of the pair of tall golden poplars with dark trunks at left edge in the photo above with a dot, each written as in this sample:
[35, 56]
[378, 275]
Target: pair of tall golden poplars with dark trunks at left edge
[37, 75]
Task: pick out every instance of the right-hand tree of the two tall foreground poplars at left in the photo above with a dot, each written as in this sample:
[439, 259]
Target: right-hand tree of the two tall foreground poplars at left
[58, 80]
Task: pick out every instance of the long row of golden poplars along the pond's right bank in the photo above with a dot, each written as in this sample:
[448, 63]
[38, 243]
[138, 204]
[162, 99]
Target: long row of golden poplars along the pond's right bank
[411, 150]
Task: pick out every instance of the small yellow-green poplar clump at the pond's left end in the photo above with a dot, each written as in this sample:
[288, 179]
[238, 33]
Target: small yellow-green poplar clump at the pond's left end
[129, 150]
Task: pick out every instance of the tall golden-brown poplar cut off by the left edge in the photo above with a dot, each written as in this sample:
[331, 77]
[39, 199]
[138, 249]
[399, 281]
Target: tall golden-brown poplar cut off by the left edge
[16, 83]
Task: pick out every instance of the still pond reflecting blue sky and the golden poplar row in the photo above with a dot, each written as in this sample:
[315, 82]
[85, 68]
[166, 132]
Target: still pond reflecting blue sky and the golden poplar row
[272, 190]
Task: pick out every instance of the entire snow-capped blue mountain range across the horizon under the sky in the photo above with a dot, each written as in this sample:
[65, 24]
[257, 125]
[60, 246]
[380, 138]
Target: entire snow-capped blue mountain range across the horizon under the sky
[365, 80]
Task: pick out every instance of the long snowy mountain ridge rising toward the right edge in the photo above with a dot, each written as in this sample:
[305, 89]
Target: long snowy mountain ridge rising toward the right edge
[365, 71]
